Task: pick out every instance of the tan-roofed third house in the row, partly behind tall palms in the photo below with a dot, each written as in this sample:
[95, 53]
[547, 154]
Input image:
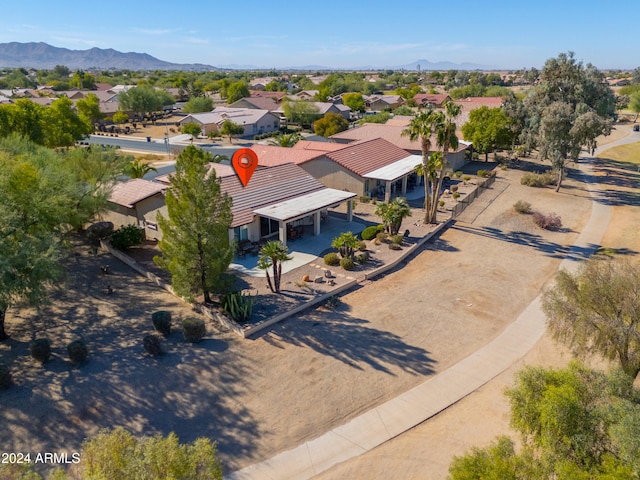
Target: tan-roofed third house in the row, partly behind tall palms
[393, 134]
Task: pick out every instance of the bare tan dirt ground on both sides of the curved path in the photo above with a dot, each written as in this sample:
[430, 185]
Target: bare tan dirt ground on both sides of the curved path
[303, 376]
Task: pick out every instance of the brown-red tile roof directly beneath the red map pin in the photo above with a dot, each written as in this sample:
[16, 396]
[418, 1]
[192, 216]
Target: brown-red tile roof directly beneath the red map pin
[267, 187]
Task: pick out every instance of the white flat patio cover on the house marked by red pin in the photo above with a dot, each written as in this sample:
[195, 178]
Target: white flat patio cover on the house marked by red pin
[304, 205]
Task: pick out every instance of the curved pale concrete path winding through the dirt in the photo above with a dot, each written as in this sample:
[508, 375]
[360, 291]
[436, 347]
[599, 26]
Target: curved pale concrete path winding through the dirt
[409, 409]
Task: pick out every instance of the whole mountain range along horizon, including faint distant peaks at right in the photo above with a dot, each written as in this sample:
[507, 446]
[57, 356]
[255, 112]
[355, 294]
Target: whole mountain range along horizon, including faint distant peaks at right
[41, 55]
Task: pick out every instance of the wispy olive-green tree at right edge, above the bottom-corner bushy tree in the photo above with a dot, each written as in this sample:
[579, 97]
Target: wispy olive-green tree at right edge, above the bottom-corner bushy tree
[597, 311]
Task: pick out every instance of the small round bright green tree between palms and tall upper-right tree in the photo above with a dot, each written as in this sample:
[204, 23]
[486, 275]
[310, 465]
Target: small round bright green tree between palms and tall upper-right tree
[488, 129]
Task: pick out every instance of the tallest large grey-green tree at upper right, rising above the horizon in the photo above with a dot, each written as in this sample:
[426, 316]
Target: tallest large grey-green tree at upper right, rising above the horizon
[566, 91]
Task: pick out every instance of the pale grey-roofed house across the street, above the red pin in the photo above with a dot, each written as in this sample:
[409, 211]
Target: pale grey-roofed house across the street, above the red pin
[254, 121]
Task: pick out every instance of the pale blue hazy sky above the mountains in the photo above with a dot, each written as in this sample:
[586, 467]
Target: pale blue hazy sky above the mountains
[341, 34]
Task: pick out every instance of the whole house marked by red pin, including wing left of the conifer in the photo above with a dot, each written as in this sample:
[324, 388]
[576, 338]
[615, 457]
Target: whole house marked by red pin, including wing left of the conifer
[275, 201]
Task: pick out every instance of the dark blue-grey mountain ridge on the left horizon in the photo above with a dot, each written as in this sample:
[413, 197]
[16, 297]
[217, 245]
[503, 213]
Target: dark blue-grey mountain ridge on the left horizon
[44, 56]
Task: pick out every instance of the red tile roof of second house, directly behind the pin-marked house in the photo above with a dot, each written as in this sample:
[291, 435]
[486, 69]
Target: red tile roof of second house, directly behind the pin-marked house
[368, 155]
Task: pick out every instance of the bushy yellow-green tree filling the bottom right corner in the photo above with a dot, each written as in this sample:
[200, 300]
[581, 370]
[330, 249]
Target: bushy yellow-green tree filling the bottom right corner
[574, 422]
